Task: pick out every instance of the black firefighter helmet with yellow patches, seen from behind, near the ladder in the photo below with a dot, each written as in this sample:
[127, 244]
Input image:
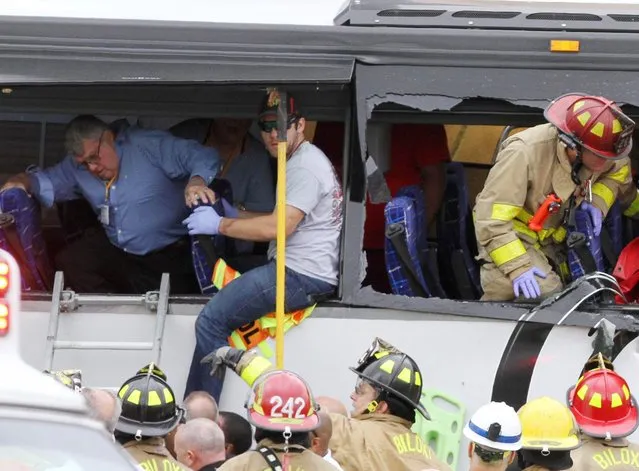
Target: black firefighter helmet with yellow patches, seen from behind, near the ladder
[148, 406]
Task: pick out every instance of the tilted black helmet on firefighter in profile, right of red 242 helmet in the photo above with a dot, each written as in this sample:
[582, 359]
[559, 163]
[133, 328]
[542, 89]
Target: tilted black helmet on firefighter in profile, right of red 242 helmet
[395, 373]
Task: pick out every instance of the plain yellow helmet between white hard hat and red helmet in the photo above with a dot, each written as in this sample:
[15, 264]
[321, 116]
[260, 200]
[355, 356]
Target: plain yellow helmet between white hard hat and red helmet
[547, 425]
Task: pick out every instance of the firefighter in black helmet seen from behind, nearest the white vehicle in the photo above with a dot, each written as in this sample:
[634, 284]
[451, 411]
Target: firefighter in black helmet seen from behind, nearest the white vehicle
[149, 413]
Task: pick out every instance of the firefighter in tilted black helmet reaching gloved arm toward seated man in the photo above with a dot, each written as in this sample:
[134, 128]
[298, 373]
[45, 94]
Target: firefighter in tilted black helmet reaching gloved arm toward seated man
[378, 436]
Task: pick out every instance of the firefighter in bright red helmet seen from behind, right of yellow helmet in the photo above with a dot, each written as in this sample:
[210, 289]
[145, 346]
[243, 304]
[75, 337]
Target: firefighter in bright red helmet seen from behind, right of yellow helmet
[606, 413]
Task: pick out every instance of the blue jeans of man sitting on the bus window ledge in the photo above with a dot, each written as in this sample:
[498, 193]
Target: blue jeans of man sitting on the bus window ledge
[244, 300]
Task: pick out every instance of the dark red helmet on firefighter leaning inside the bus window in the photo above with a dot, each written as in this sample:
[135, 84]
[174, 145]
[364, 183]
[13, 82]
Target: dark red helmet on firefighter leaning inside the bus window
[596, 123]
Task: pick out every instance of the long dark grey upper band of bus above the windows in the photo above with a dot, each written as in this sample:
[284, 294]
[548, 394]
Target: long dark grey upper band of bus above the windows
[82, 51]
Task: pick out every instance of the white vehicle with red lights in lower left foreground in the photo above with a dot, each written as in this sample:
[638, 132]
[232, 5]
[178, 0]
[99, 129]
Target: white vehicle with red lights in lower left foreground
[44, 426]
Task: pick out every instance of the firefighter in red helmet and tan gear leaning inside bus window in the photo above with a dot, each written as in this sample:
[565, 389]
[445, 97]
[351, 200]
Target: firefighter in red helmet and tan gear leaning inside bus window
[542, 174]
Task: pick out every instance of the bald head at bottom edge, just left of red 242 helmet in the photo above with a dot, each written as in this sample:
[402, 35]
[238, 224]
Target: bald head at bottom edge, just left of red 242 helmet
[199, 442]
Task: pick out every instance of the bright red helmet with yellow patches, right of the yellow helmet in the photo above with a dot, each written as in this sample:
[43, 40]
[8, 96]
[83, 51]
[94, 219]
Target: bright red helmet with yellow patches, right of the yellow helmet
[602, 404]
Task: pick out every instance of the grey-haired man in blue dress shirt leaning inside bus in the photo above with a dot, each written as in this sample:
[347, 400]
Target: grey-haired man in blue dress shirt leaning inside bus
[137, 181]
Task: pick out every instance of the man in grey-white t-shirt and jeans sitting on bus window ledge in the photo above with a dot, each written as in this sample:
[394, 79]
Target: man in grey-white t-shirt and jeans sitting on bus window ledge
[314, 205]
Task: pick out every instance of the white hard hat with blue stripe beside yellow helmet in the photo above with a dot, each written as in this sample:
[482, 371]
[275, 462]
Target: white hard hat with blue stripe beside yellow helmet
[495, 425]
